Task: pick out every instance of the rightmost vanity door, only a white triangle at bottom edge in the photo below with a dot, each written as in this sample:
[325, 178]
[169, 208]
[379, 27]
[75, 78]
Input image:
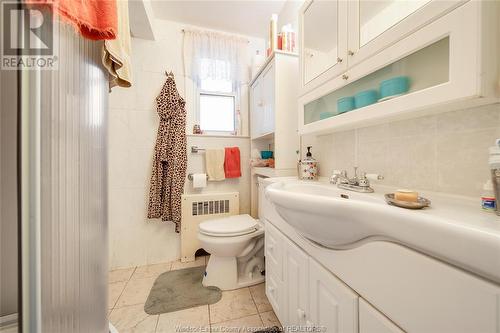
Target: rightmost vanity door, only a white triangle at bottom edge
[372, 321]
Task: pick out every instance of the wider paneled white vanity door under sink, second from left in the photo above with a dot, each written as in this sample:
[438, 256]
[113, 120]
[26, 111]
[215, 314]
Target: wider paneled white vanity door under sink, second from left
[333, 305]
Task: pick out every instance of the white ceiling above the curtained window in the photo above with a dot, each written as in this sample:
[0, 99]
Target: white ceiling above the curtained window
[246, 17]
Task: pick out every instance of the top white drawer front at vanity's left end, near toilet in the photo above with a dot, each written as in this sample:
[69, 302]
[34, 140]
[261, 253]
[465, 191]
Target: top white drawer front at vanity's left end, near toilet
[274, 251]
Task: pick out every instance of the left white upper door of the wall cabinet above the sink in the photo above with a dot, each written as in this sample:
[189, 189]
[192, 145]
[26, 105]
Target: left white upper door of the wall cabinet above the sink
[323, 41]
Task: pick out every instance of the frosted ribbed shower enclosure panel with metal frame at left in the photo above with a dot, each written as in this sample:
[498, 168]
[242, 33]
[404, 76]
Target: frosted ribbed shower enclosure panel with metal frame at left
[59, 220]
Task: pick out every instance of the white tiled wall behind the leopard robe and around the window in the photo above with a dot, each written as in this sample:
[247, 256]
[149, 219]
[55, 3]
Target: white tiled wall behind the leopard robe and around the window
[134, 239]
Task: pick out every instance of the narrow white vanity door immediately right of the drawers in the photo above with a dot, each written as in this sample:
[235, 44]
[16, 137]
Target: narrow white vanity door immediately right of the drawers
[296, 282]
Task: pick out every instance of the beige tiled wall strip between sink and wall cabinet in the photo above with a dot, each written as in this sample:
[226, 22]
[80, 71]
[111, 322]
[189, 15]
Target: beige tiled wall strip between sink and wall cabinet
[447, 152]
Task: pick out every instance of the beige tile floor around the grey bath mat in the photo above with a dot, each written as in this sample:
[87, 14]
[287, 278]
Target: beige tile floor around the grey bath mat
[237, 311]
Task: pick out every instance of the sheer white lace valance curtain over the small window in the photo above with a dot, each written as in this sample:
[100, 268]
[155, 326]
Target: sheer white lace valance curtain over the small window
[216, 56]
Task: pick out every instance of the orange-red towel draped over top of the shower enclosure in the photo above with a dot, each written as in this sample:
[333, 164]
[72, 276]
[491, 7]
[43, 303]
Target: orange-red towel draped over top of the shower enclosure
[95, 19]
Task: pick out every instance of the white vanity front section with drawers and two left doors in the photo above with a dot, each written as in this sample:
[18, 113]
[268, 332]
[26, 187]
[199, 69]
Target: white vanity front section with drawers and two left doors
[308, 294]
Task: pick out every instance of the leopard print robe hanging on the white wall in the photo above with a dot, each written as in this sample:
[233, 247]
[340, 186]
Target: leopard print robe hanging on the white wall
[170, 156]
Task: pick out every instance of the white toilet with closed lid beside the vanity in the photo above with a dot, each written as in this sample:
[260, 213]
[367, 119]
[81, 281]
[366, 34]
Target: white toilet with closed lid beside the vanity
[236, 247]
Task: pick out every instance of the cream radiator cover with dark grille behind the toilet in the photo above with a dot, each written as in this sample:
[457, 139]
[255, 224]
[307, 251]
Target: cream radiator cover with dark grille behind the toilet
[197, 208]
